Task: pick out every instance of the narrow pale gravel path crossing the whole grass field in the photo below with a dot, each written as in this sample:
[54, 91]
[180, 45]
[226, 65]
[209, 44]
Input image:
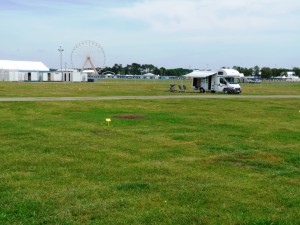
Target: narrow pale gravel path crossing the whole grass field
[30, 99]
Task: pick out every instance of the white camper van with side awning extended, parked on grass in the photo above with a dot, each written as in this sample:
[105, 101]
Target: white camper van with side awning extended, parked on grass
[223, 80]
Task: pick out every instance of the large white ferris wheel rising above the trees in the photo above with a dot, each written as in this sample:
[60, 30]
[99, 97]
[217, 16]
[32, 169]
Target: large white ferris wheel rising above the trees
[88, 55]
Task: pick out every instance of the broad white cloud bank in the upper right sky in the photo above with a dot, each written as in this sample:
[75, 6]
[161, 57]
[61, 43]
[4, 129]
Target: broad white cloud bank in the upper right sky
[178, 15]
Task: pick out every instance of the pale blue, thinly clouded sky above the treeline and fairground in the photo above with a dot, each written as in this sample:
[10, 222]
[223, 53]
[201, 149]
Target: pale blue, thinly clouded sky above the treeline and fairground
[166, 33]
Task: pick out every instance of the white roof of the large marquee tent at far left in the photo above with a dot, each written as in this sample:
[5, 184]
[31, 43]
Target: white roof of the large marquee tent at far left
[23, 65]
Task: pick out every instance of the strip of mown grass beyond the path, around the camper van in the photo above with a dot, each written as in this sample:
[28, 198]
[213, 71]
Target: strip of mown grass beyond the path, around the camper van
[119, 87]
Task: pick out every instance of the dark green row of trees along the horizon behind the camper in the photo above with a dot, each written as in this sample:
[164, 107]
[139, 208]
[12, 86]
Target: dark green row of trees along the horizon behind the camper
[140, 69]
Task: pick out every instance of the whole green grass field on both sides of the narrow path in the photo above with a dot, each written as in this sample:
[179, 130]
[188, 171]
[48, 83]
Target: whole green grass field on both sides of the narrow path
[180, 161]
